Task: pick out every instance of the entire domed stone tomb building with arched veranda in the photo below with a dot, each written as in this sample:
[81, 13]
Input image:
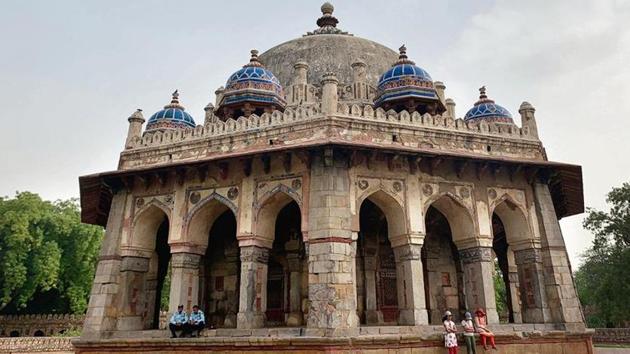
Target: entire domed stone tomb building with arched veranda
[331, 200]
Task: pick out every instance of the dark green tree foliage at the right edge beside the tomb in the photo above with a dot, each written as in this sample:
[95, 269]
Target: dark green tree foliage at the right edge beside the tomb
[603, 280]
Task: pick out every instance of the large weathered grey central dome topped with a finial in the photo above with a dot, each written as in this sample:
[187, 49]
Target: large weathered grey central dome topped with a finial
[328, 49]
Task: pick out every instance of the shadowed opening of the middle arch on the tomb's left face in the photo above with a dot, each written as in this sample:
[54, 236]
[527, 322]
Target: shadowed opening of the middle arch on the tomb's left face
[220, 273]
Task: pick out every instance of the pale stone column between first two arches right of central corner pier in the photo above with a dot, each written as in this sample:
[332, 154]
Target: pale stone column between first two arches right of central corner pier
[411, 300]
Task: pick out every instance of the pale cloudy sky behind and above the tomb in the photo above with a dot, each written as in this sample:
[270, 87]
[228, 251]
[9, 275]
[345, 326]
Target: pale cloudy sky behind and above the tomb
[71, 72]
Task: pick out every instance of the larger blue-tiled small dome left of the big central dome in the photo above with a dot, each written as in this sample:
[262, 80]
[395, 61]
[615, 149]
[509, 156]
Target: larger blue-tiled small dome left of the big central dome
[254, 84]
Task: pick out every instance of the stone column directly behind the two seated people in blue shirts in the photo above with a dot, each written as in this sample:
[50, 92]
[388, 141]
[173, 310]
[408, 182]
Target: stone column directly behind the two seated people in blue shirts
[184, 281]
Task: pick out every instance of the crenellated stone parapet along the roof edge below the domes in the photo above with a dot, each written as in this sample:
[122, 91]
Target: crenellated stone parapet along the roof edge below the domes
[304, 113]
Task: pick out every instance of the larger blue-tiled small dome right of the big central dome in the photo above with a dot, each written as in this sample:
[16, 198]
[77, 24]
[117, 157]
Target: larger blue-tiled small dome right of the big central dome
[405, 80]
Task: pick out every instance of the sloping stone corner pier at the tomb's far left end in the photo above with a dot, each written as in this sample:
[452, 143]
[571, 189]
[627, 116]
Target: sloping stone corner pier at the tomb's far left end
[103, 306]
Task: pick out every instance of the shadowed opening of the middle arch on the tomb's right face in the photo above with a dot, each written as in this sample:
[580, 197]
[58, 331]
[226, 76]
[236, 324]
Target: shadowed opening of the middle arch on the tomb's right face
[443, 276]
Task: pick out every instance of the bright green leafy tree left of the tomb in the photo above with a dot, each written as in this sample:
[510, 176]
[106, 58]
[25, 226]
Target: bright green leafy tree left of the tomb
[47, 256]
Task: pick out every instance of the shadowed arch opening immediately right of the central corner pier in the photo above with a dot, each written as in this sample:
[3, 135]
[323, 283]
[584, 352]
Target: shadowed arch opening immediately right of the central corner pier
[376, 269]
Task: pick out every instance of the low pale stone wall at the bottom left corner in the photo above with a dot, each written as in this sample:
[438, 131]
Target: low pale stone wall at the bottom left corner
[37, 345]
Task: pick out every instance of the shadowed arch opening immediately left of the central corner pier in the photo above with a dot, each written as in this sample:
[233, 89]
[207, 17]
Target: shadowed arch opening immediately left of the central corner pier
[286, 279]
